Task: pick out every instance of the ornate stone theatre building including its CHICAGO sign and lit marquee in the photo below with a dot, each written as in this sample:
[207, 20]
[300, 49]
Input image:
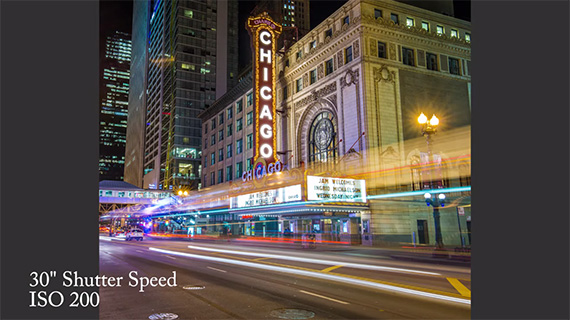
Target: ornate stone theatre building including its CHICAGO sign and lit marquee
[315, 134]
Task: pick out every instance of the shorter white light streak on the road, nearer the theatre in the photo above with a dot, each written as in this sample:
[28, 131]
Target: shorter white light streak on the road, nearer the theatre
[327, 262]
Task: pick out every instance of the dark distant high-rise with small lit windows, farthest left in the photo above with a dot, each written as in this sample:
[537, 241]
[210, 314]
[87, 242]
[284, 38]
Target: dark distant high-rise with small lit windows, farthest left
[114, 105]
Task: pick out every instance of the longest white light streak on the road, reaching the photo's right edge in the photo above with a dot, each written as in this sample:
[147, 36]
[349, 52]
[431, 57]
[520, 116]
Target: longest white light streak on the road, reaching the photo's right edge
[319, 275]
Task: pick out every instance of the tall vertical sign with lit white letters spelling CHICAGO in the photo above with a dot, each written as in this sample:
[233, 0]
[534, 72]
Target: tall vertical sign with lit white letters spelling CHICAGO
[264, 33]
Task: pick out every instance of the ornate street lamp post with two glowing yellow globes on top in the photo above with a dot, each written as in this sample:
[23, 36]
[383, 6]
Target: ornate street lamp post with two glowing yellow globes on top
[429, 128]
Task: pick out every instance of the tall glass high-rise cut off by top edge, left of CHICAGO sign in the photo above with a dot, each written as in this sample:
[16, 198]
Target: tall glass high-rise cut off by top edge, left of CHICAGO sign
[185, 52]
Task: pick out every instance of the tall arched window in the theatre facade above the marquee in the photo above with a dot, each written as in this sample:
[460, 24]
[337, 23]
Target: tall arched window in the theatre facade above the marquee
[323, 146]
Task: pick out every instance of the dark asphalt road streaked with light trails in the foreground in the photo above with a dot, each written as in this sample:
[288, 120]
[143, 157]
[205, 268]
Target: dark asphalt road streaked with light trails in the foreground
[229, 281]
